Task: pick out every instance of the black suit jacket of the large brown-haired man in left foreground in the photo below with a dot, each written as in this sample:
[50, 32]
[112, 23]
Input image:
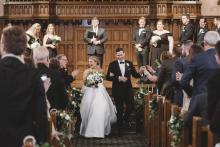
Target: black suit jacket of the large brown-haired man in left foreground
[23, 108]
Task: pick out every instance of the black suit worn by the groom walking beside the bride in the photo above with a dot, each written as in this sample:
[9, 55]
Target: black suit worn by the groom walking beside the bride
[122, 91]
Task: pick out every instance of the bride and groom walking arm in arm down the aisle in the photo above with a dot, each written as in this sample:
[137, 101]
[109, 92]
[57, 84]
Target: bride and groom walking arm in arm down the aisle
[97, 109]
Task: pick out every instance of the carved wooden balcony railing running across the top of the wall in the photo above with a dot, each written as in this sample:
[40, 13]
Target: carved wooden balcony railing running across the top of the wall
[106, 9]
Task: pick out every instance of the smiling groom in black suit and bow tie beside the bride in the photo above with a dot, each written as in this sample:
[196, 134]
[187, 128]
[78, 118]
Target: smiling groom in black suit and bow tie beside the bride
[119, 72]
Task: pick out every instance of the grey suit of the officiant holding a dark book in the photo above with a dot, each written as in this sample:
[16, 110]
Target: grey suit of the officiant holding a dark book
[98, 49]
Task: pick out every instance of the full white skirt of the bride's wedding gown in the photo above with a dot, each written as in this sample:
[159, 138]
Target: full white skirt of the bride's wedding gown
[97, 112]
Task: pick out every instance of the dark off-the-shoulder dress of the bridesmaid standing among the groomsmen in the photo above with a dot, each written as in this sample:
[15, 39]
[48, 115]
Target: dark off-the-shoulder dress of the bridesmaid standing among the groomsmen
[162, 45]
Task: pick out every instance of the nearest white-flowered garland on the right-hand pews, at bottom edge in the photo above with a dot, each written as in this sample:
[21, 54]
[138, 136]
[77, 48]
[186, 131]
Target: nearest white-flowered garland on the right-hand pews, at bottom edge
[175, 126]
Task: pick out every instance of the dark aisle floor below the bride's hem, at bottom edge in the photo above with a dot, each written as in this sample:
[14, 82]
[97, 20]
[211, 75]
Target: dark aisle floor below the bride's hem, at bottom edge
[127, 140]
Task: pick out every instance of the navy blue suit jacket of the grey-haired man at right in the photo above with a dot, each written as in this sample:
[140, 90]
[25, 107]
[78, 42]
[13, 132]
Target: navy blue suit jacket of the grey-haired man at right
[202, 66]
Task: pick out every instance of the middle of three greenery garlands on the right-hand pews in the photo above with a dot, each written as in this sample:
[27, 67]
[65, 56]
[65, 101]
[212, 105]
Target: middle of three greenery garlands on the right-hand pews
[153, 108]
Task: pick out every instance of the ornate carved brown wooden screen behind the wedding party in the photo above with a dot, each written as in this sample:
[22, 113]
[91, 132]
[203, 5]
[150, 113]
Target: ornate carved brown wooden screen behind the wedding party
[118, 17]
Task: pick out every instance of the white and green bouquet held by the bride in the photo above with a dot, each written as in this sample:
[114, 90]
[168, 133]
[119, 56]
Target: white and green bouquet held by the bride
[93, 79]
